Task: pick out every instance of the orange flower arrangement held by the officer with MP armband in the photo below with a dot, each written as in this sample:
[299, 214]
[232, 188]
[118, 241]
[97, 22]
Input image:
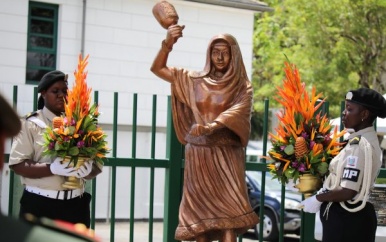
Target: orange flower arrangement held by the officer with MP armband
[304, 142]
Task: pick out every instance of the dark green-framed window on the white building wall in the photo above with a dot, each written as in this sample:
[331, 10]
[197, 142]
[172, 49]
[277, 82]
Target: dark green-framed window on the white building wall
[42, 40]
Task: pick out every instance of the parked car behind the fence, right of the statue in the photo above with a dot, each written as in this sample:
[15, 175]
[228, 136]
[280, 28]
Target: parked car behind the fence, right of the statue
[271, 220]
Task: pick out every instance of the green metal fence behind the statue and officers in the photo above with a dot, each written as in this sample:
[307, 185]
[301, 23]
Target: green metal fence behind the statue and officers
[173, 165]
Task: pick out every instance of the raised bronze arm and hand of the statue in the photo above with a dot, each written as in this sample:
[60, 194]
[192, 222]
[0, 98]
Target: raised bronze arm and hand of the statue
[159, 67]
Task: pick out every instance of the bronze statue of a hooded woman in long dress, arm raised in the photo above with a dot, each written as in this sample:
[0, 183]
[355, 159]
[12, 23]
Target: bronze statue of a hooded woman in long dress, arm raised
[211, 113]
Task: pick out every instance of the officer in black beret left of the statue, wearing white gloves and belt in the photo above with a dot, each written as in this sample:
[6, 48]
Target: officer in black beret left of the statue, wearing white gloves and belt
[43, 176]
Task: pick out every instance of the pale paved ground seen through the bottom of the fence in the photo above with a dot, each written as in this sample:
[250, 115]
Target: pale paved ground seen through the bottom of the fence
[141, 232]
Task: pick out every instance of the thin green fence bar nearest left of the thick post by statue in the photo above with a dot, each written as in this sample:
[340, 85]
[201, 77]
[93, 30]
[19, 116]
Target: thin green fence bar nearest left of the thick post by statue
[152, 156]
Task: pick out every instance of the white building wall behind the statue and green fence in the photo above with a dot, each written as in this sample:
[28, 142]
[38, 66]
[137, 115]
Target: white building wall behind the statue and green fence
[122, 38]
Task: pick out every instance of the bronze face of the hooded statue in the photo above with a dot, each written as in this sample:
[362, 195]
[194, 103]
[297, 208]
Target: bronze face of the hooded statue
[221, 56]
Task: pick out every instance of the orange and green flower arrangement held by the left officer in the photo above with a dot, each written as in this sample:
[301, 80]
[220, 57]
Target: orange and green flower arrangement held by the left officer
[76, 132]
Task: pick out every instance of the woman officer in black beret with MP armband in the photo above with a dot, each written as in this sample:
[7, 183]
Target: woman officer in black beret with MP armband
[345, 212]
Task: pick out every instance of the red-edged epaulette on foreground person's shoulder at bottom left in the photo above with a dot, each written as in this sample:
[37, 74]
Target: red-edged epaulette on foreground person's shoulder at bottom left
[60, 227]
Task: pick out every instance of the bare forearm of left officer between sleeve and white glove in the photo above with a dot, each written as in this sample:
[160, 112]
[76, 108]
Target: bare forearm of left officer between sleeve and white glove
[31, 169]
